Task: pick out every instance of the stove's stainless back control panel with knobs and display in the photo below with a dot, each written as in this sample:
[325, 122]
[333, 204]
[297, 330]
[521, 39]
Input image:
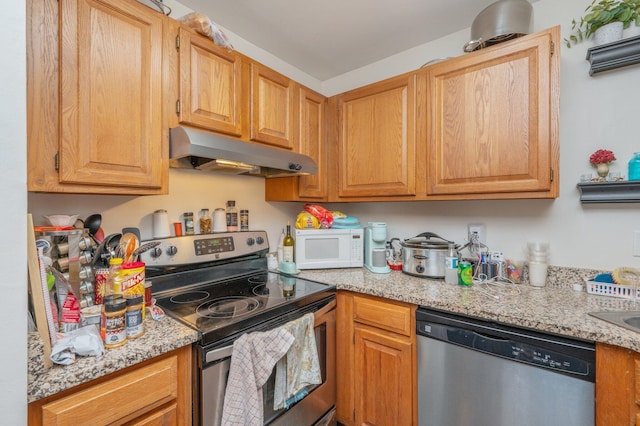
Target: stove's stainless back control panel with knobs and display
[190, 249]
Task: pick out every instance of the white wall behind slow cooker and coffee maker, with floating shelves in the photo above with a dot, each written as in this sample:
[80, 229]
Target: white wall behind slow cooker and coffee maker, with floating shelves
[596, 112]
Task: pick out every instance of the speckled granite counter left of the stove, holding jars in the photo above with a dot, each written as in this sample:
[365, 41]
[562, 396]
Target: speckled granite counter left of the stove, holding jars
[160, 336]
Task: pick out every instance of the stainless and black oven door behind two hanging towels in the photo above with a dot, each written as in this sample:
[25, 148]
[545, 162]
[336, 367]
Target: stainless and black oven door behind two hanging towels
[312, 409]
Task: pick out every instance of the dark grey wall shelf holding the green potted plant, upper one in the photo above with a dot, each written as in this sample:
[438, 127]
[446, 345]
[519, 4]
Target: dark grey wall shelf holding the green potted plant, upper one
[614, 55]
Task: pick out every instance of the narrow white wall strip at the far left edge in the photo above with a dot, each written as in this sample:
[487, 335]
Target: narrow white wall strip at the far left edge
[13, 320]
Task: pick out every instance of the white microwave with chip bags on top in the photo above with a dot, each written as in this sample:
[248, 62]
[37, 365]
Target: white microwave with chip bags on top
[329, 248]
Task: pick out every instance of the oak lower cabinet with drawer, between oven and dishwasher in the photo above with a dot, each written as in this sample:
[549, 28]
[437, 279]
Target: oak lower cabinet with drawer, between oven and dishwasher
[376, 368]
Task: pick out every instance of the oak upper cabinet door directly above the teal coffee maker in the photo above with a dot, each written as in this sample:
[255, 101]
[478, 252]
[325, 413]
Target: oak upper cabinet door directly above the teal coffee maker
[376, 141]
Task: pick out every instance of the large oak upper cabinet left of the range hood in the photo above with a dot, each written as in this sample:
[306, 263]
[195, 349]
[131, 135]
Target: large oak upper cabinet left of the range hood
[94, 98]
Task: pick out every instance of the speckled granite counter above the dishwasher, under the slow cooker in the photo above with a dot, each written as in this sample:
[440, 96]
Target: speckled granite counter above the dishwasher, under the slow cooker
[555, 308]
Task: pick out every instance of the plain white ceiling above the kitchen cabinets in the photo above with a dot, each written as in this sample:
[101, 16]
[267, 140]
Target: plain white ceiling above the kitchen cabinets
[331, 37]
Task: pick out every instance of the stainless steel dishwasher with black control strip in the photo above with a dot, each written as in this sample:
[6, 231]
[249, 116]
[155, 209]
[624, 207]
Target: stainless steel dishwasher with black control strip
[478, 373]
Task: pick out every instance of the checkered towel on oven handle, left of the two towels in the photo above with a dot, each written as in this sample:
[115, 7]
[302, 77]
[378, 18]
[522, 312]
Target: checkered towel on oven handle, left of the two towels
[252, 361]
